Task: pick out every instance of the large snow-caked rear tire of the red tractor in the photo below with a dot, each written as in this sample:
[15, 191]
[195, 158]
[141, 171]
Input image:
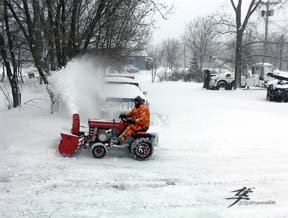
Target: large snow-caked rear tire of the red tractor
[141, 149]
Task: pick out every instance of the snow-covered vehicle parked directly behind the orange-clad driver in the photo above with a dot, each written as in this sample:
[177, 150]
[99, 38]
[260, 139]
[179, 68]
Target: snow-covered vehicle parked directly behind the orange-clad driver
[119, 93]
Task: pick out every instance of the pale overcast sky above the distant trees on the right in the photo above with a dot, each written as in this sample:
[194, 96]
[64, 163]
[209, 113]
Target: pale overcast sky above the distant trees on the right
[187, 10]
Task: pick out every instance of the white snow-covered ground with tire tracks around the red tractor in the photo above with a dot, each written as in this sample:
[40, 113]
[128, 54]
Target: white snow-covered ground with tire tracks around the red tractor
[211, 143]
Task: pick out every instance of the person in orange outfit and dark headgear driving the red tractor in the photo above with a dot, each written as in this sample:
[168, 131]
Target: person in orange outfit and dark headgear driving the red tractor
[138, 119]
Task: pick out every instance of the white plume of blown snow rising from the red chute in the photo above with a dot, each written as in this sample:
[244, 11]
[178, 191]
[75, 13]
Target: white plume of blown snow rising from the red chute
[79, 86]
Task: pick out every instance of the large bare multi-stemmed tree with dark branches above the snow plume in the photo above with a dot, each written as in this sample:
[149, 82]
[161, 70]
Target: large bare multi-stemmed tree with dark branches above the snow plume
[56, 31]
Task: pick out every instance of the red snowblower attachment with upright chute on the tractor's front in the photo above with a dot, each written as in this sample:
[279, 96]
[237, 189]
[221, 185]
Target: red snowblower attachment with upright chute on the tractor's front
[69, 142]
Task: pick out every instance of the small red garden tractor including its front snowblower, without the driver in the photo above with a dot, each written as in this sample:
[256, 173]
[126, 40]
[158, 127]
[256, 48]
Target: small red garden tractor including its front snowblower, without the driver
[141, 144]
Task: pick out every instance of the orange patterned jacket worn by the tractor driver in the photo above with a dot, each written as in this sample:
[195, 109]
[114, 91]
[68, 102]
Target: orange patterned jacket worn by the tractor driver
[141, 115]
